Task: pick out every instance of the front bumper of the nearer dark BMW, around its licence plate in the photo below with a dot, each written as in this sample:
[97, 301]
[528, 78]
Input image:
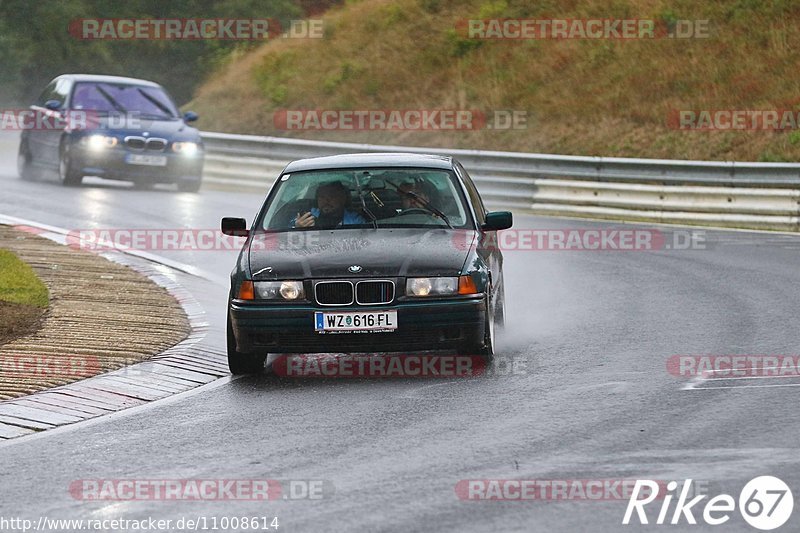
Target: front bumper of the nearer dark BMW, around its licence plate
[451, 324]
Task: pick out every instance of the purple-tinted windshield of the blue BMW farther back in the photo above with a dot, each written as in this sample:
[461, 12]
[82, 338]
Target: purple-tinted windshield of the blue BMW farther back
[148, 102]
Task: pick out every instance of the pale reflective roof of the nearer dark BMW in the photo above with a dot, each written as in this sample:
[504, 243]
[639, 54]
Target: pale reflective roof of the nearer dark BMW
[372, 160]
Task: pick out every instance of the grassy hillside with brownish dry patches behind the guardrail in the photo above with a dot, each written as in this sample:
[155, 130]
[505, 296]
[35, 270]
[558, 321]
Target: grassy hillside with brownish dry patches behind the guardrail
[594, 97]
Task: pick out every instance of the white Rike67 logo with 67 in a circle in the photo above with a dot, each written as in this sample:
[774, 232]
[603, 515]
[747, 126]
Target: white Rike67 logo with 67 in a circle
[765, 503]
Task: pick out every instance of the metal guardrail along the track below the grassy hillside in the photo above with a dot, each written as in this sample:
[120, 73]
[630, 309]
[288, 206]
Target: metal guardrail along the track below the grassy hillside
[727, 194]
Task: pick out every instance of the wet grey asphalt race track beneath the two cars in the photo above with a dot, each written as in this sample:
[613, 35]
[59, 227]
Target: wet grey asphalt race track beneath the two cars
[595, 401]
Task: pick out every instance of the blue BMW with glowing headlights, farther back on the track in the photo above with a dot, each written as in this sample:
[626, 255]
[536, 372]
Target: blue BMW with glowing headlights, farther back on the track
[111, 127]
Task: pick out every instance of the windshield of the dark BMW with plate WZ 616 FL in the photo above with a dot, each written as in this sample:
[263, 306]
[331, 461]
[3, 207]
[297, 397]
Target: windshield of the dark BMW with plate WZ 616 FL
[381, 198]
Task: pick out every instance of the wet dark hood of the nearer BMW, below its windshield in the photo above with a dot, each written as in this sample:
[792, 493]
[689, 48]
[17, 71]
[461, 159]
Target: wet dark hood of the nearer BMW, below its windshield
[379, 253]
